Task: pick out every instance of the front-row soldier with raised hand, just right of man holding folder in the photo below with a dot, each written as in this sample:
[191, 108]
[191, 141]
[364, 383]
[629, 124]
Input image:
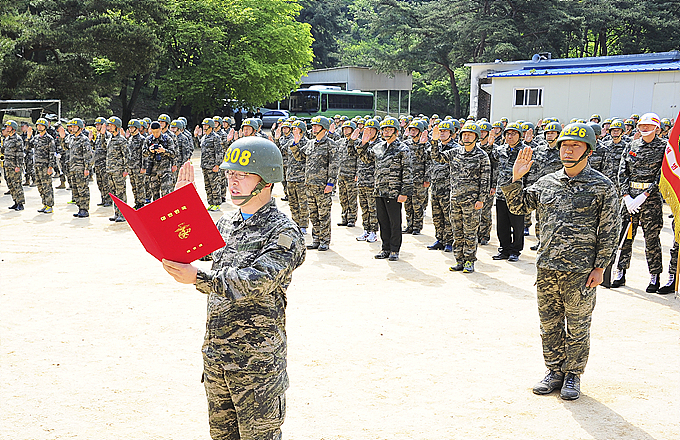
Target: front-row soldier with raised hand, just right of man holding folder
[321, 173]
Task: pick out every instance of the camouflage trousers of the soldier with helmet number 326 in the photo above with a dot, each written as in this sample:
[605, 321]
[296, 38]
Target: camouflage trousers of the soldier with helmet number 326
[565, 308]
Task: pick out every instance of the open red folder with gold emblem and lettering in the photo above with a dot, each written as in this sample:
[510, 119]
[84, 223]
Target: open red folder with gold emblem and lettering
[176, 227]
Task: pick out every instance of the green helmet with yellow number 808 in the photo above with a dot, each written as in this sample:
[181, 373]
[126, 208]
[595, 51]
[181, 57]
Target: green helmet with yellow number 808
[255, 155]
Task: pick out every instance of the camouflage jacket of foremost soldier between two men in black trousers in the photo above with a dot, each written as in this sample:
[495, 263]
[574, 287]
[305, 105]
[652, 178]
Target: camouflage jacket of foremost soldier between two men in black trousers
[470, 172]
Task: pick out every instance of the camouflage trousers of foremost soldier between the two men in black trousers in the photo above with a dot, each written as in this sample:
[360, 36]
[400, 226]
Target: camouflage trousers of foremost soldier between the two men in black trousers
[465, 224]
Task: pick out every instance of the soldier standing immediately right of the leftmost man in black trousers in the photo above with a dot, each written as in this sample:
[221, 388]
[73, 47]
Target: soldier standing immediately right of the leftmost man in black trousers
[417, 142]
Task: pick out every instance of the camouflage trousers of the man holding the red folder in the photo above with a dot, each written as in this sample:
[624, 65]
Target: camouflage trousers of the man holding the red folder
[244, 406]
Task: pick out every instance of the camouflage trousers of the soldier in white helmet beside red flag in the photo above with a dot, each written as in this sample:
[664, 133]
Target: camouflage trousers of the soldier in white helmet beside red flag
[650, 217]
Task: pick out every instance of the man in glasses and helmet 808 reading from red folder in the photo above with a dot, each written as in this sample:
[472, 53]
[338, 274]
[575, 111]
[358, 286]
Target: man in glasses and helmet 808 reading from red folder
[245, 347]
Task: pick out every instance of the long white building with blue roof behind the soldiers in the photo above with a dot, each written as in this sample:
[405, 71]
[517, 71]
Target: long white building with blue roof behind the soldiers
[576, 87]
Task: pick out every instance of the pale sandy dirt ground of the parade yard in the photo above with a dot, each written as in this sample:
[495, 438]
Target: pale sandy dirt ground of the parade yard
[98, 342]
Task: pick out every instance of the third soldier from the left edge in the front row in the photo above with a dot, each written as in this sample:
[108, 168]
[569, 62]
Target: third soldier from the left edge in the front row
[80, 158]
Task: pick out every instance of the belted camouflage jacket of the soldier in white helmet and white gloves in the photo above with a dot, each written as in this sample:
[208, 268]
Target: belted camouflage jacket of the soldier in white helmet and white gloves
[641, 163]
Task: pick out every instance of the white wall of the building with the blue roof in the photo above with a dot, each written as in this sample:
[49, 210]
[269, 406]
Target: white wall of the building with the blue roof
[579, 96]
